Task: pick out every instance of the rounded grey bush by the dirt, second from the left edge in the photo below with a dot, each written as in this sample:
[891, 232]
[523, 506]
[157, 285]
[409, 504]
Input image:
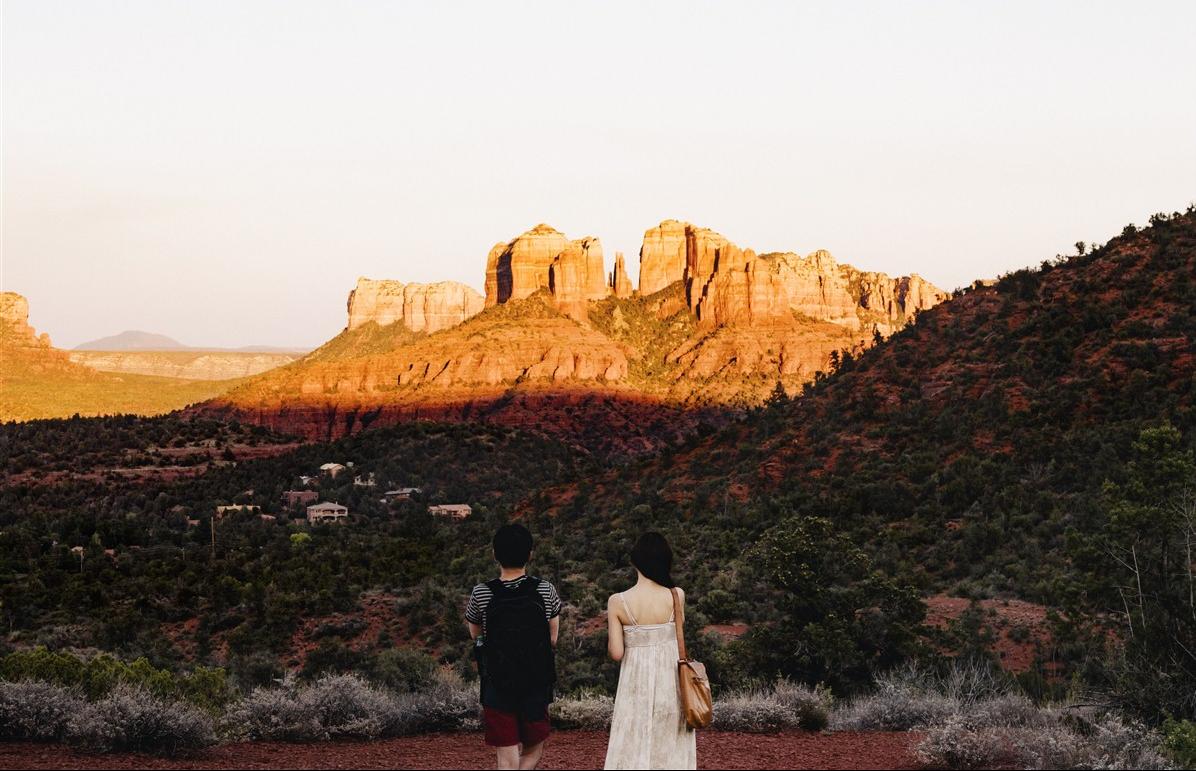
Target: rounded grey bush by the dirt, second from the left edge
[132, 719]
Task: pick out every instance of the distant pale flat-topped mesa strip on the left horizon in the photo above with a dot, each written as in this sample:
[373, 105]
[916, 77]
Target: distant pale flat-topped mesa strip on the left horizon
[187, 365]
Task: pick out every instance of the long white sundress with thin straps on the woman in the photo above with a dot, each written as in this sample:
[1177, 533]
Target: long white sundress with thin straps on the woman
[648, 730]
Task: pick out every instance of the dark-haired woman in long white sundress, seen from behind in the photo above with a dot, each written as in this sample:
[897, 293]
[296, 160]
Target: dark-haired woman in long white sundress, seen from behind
[648, 730]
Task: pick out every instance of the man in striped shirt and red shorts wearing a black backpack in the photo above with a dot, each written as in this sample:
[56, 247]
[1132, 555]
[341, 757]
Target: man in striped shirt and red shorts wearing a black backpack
[515, 621]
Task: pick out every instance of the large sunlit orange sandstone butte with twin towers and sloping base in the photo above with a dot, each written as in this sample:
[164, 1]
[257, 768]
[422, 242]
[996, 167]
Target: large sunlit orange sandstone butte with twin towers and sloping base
[711, 326]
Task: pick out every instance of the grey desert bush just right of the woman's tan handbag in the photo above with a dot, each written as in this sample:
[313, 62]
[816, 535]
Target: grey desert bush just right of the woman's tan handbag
[784, 706]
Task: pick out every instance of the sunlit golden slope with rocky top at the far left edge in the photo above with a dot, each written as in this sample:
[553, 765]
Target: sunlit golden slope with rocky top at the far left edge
[39, 381]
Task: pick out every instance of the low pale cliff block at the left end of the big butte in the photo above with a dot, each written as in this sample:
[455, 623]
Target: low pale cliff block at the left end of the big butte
[423, 308]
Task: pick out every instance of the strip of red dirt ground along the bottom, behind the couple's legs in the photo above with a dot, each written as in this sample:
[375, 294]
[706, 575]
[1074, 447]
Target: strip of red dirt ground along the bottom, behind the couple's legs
[566, 750]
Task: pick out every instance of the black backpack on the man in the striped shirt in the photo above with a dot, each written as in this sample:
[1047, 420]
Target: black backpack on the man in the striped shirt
[517, 652]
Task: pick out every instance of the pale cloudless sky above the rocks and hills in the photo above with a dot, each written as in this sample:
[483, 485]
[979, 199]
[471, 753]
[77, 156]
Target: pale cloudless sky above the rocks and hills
[223, 172]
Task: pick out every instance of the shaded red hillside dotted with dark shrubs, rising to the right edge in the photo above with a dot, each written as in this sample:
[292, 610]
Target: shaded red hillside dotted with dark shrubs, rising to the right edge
[969, 449]
